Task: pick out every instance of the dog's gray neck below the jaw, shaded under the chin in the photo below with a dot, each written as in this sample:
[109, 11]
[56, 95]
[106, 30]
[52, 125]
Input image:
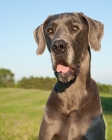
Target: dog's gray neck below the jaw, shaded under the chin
[83, 79]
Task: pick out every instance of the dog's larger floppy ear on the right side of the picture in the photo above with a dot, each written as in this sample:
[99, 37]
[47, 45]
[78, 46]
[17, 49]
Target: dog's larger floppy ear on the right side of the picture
[95, 34]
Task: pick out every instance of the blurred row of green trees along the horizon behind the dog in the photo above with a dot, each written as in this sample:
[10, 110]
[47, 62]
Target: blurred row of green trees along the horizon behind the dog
[7, 80]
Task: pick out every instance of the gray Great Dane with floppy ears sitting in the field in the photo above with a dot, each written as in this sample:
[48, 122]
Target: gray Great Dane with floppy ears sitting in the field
[73, 110]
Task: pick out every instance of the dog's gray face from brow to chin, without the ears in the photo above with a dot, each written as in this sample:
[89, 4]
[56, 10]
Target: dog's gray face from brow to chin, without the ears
[65, 36]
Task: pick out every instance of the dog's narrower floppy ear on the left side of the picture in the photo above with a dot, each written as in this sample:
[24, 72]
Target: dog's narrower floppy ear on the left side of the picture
[39, 38]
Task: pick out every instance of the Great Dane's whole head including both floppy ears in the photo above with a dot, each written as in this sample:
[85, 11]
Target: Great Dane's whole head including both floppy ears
[67, 37]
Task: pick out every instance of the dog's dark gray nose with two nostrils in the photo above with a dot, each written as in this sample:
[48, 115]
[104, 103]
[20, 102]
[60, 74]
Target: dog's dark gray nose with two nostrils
[59, 46]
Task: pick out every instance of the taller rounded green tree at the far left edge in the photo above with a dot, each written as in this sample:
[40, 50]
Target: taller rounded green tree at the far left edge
[6, 78]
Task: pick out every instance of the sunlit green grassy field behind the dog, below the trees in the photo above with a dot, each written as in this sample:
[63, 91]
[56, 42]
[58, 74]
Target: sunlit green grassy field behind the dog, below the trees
[21, 113]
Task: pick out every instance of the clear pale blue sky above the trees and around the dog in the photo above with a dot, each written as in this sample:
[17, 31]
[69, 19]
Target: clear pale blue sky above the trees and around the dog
[18, 20]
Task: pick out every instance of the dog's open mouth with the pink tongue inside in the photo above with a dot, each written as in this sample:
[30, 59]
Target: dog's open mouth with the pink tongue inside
[62, 67]
